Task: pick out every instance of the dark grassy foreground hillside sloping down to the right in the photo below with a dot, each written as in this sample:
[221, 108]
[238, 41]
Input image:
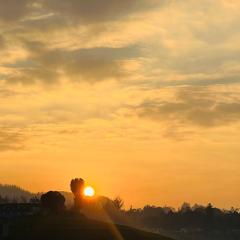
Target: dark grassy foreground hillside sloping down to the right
[74, 227]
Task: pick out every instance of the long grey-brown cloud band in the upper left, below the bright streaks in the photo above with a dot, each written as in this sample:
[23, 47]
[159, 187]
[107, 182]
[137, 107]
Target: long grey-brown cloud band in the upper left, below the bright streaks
[91, 65]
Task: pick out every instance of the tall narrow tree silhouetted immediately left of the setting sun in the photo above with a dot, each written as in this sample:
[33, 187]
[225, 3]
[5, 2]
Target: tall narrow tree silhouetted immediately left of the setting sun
[77, 188]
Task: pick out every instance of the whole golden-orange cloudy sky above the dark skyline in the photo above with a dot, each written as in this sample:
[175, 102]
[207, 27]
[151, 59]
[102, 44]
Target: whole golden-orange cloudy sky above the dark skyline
[140, 98]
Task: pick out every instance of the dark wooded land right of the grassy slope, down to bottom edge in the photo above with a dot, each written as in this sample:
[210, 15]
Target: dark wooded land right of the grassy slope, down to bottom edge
[197, 222]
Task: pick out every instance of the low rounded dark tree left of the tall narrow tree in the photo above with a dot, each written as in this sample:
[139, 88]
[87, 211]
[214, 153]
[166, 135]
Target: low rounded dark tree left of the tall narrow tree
[53, 201]
